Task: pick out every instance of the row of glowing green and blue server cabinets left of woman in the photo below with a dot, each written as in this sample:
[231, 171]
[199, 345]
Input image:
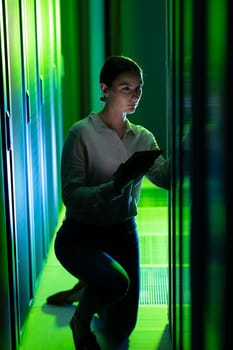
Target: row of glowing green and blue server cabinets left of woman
[31, 140]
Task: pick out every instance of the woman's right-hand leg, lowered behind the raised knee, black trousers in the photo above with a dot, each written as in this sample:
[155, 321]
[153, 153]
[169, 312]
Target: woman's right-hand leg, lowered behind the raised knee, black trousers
[120, 318]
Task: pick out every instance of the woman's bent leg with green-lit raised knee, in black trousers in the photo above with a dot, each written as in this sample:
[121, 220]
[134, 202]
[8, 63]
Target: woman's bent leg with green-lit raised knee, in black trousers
[76, 248]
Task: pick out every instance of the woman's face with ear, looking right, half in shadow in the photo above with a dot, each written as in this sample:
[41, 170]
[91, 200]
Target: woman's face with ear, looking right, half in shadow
[125, 92]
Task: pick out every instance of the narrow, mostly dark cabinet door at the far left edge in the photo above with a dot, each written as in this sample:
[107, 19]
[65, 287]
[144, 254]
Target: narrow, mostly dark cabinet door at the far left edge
[7, 280]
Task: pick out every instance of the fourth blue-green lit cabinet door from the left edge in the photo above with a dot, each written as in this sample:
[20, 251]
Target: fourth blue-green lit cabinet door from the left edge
[45, 32]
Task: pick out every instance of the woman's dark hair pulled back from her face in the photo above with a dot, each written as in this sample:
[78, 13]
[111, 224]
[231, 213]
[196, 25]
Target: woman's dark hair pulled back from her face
[116, 65]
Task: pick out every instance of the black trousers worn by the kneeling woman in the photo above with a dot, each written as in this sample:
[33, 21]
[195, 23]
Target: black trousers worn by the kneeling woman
[107, 259]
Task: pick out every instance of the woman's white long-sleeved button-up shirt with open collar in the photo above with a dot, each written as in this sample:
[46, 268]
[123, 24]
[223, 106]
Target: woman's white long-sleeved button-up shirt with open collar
[91, 155]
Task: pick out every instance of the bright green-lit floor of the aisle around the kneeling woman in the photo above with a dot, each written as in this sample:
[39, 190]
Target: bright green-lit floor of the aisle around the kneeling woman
[47, 326]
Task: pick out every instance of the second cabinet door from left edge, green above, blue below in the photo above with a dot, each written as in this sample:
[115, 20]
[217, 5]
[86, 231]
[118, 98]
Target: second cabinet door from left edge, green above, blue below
[17, 171]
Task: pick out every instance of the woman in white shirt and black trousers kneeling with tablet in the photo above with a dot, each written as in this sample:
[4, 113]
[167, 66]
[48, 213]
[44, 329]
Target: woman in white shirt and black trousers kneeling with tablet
[98, 240]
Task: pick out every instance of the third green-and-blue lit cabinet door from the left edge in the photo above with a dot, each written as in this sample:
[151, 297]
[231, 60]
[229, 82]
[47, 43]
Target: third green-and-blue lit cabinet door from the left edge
[33, 137]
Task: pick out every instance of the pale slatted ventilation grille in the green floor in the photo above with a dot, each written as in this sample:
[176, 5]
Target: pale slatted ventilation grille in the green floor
[154, 285]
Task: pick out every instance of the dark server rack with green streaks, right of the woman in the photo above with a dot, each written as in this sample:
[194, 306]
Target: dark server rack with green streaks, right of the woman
[201, 197]
